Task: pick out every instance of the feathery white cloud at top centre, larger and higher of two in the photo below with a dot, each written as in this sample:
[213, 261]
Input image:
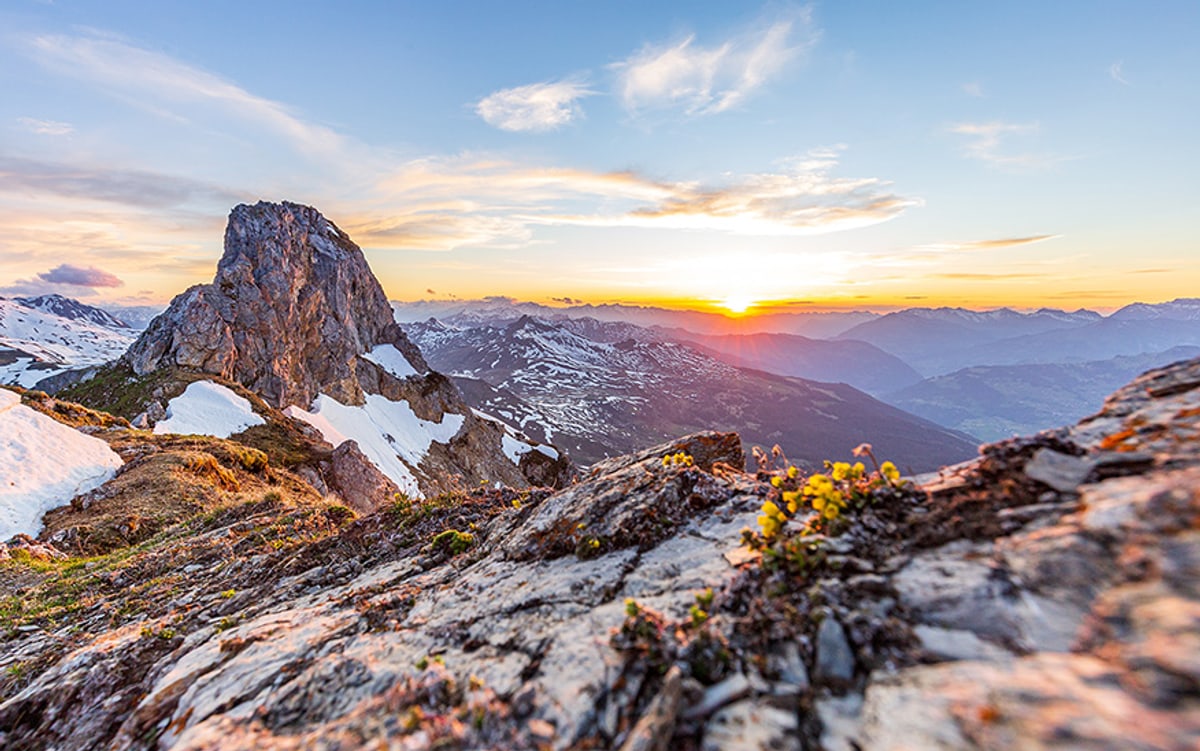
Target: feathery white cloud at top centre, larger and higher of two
[712, 80]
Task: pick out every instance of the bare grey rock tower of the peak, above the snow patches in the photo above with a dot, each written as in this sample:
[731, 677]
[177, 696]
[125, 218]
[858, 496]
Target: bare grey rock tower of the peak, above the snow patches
[291, 310]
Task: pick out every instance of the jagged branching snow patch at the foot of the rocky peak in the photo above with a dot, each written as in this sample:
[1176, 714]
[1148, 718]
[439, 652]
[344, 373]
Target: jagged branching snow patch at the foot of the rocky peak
[389, 434]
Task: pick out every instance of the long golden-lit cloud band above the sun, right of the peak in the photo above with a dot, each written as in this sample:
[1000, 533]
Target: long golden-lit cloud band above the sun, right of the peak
[452, 203]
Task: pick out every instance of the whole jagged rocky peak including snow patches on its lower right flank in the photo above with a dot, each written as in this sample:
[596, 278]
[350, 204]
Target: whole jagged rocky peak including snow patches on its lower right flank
[296, 316]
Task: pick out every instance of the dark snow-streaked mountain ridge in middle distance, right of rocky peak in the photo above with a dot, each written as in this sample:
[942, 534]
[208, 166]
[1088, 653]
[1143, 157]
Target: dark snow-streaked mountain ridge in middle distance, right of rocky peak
[597, 399]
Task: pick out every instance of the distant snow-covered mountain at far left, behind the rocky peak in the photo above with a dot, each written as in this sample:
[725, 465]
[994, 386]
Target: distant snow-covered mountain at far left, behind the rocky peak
[37, 344]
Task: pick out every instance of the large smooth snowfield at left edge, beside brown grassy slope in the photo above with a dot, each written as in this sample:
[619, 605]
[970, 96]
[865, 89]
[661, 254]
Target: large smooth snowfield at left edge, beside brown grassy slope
[44, 465]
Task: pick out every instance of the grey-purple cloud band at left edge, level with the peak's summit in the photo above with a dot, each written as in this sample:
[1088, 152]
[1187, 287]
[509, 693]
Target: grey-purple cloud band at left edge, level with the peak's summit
[115, 185]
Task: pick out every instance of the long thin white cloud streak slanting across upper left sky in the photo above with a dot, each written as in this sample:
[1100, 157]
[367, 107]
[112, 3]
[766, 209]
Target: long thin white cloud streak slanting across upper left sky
[160, 82]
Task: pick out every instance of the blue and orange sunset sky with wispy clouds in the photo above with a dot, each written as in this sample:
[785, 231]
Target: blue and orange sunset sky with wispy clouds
[722, 157]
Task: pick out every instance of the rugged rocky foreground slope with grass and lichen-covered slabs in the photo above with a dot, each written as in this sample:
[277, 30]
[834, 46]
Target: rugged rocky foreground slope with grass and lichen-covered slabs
[1045, 596]
